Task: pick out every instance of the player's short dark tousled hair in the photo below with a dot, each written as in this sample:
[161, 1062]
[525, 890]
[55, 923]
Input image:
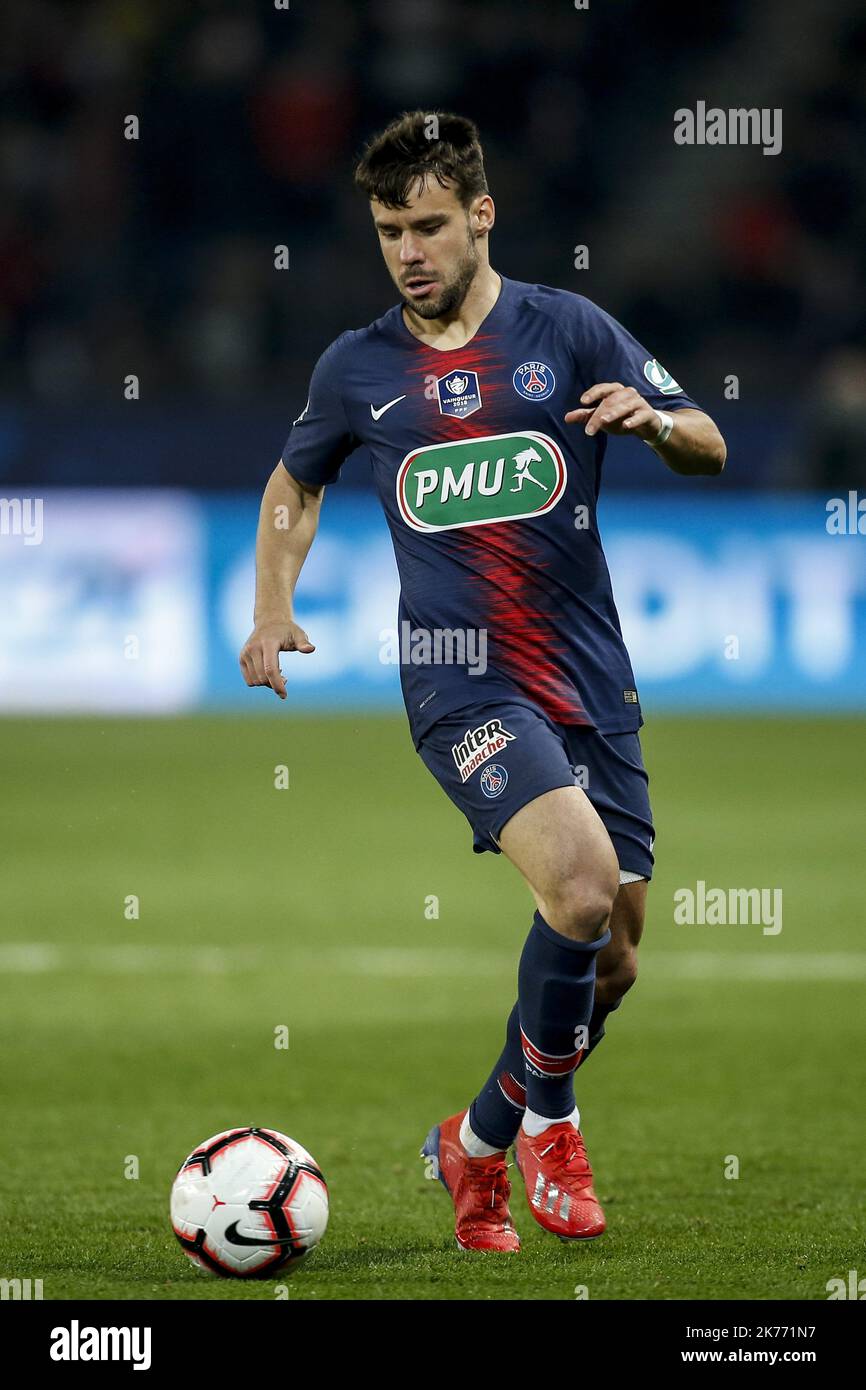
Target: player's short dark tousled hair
[423, 145]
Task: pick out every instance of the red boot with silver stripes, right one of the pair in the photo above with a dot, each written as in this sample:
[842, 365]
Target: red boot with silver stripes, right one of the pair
[559, 1182]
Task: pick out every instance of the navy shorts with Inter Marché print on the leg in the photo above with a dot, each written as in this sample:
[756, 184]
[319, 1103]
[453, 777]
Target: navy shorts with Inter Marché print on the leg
[493, 760]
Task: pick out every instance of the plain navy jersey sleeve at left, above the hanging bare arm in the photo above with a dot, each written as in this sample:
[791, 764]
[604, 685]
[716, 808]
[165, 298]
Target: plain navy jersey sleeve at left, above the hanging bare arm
[322, 439]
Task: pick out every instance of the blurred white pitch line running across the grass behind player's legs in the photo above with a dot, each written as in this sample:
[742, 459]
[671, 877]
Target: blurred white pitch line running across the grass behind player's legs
[761, 964]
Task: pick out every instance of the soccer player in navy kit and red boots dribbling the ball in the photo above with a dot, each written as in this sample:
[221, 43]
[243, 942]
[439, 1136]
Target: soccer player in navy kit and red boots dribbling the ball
[486, 404]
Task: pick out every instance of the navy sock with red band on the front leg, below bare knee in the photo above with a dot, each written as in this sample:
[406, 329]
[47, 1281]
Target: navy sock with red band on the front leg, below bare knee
[555, 992]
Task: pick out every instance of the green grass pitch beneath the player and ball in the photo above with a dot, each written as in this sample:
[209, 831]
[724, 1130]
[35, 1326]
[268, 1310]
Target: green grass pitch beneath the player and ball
[307, 908]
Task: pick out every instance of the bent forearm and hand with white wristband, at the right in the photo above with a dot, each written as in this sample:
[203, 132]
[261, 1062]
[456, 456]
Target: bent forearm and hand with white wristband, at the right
[693, 447]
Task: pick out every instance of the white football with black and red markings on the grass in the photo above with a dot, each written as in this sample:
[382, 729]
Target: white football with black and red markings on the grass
[250, 1202]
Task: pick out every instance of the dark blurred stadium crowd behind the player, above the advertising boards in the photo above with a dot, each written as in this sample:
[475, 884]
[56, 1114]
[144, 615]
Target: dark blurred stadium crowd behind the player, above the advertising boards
[156, 256]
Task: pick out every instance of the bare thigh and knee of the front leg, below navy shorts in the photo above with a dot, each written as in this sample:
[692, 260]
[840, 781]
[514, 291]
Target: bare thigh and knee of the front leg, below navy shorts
[561, 847]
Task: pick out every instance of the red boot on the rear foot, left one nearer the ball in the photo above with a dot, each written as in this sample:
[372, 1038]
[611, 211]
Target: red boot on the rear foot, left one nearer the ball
[479, 1188]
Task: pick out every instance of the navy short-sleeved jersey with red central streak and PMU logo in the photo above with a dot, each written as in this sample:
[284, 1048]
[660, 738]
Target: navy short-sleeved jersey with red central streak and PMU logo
[491, 500]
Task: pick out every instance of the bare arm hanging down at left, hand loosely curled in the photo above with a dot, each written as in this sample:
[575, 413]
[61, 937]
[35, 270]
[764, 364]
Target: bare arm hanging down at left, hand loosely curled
[288, 522]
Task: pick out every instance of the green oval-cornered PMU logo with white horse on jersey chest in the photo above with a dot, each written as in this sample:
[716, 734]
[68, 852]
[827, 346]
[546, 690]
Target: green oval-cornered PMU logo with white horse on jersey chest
[480, 482]
